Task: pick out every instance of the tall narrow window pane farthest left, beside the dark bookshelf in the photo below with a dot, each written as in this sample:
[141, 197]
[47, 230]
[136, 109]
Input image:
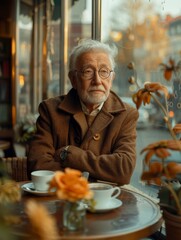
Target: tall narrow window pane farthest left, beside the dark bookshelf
[25, 24]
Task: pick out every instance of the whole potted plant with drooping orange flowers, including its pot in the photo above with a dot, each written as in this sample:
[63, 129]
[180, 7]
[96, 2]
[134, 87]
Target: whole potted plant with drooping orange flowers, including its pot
[165, 174]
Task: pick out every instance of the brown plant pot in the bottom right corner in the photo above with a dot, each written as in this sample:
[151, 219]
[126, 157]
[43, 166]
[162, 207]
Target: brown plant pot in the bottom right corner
[172, 225]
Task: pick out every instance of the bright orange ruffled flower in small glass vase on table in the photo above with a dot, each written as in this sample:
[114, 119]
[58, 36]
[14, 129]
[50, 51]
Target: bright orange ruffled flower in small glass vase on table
[70, 185]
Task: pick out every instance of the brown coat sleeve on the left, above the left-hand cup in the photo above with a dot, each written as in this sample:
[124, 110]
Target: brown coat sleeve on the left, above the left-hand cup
[42, 148]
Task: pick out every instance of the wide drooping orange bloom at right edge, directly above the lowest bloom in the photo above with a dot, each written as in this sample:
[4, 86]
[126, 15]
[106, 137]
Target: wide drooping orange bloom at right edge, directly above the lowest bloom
[160, 149]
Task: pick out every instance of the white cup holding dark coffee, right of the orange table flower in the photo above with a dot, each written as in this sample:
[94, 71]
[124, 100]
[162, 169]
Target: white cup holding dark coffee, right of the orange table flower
[104, 193]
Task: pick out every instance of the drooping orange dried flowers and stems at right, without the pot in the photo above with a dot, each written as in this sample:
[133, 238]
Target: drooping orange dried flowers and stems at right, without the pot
[161, 172]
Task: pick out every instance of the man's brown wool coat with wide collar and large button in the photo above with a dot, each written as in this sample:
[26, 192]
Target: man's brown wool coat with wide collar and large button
[106, 150]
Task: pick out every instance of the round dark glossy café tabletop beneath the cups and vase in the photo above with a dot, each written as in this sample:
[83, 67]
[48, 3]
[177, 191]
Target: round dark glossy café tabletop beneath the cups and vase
[136, 218]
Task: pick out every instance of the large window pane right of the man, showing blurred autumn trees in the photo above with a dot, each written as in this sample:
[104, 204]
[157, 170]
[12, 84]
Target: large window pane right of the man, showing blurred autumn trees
[147, 33]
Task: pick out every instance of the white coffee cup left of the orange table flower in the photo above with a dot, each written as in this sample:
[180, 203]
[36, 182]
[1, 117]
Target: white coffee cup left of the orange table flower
[41, 179]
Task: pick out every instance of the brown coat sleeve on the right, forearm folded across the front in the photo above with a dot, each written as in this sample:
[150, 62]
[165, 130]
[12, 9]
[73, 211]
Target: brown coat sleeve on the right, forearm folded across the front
[116, 166]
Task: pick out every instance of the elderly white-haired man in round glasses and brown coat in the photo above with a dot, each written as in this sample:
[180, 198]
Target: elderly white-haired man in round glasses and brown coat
[90, 128]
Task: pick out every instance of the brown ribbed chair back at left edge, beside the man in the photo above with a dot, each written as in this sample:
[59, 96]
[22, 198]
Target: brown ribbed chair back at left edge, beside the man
[16, 167]
